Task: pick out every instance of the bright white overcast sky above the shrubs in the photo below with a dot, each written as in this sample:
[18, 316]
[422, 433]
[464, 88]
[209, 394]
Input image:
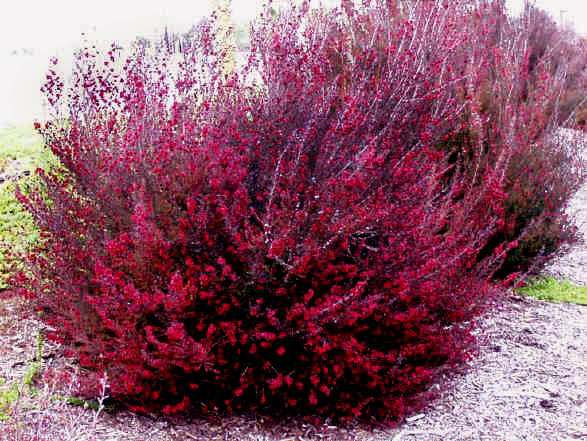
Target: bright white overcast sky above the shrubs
[49, 24]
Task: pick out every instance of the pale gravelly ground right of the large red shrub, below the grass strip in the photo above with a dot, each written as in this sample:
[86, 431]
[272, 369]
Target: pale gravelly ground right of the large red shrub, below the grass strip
[528, 383]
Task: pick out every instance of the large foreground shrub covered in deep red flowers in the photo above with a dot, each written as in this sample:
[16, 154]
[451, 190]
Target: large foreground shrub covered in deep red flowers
[290, 236]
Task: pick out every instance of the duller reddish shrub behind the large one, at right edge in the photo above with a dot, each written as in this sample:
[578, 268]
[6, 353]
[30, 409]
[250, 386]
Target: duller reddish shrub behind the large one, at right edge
[535, 70]
